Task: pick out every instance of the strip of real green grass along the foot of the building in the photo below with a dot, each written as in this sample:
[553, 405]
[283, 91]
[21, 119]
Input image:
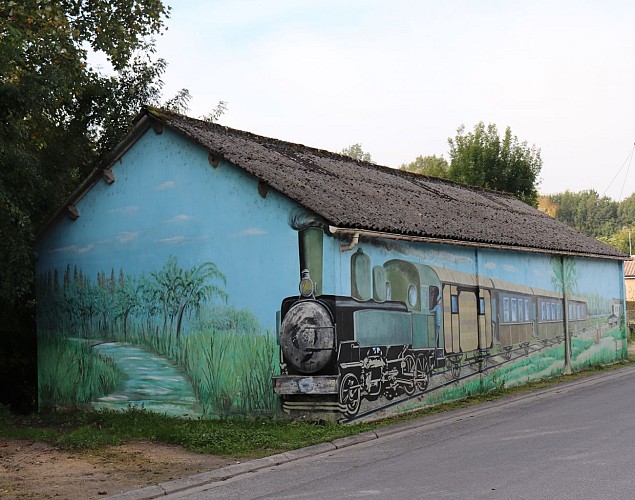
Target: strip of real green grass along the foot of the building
[223, 437]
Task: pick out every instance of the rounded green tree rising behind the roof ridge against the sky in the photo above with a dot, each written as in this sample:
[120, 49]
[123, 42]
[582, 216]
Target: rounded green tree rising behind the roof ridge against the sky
[482, 158]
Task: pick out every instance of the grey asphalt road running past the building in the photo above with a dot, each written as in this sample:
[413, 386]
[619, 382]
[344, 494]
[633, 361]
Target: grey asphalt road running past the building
[573, 441]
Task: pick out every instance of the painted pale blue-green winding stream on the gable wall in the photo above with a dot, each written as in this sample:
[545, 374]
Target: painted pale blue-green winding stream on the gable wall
[152, 382]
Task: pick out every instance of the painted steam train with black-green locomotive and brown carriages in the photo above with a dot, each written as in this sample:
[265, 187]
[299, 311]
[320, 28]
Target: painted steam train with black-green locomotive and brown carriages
[402, 322]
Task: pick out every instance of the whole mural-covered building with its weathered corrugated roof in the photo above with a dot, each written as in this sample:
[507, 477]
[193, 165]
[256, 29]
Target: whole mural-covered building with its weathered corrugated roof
[208, 271]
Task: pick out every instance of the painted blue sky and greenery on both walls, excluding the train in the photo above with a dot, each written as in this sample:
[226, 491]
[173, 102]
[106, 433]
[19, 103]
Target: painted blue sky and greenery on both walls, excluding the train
[164, 293]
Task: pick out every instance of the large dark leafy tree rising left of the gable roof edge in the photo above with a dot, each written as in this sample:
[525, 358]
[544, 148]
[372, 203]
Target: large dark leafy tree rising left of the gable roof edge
[59, 116]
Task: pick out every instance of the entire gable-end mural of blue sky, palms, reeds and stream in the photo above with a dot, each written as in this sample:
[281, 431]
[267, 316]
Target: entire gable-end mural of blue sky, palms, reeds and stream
[155, 297]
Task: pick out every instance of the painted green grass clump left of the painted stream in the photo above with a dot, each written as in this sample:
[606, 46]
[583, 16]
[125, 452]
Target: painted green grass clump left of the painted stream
[71, 373]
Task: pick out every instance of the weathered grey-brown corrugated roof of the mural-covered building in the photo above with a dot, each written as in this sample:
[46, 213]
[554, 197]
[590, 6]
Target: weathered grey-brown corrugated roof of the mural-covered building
[359, 195]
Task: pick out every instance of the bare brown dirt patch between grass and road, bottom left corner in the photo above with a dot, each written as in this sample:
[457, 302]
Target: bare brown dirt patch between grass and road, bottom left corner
[38, 470]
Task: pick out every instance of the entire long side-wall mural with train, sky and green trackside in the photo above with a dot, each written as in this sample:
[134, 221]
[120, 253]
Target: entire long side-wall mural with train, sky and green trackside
[407, 334]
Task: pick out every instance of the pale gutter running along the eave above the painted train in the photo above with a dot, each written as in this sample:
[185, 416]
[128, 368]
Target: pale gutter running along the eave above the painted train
[357, 233]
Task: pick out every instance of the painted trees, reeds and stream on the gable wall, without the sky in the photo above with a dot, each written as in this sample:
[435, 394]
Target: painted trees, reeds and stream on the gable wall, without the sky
[165, 341]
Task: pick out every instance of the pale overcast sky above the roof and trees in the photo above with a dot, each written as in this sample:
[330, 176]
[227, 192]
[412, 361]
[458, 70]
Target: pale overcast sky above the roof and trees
[399, 77]
